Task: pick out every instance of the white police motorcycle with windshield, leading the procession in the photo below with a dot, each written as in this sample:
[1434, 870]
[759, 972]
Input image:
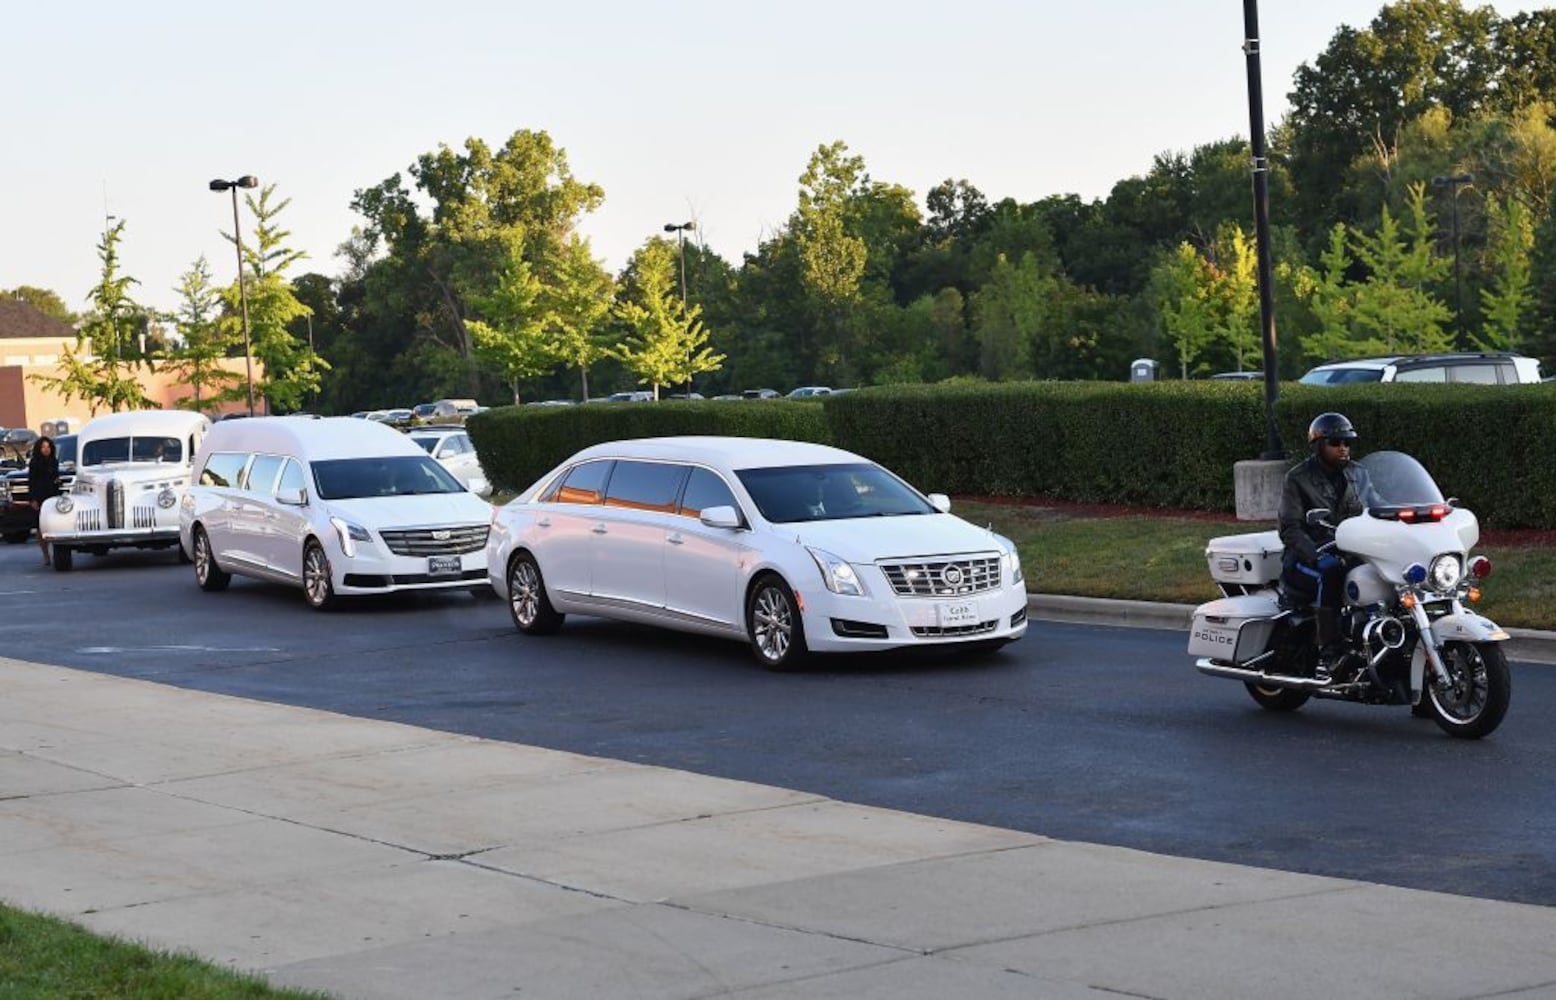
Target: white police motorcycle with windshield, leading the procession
[1406, 623]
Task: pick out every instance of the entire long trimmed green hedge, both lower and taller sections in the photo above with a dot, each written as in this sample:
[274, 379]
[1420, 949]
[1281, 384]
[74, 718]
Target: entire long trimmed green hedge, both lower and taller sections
[1157, 446]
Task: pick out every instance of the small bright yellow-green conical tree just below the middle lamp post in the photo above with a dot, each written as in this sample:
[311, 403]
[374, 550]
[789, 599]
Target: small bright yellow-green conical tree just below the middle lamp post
[667, 343]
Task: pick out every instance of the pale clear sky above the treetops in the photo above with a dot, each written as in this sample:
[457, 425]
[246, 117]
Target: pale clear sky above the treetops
[704, 111]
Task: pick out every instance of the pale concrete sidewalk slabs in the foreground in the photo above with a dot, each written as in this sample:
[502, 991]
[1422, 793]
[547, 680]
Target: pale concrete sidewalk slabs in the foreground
[373, 859]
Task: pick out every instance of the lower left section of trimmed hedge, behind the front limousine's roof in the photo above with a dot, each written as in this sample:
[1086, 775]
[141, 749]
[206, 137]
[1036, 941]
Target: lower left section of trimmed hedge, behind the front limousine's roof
[520, 444]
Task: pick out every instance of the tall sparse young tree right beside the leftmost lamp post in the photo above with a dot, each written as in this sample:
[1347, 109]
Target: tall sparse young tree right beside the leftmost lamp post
[290, 368]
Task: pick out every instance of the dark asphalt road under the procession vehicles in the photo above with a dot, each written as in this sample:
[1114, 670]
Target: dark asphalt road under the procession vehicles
[1082, 733]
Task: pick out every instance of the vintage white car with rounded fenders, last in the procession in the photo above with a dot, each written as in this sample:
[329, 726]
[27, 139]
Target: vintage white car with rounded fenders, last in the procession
[131, 474]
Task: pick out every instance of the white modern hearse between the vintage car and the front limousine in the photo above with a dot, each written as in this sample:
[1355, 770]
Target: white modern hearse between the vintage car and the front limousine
[332, 505]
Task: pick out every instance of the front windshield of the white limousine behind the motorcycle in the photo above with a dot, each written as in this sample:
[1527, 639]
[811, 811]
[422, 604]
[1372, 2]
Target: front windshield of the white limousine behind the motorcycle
[830, 492]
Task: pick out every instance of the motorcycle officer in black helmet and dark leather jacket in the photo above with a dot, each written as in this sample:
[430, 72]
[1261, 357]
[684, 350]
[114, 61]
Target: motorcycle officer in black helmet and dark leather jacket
[1326, 480]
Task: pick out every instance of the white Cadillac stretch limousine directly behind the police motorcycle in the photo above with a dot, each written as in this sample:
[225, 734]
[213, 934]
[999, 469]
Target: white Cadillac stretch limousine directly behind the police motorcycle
[787, 545]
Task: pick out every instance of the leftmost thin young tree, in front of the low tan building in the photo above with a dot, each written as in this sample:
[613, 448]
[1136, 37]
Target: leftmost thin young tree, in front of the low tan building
[102, 366]
